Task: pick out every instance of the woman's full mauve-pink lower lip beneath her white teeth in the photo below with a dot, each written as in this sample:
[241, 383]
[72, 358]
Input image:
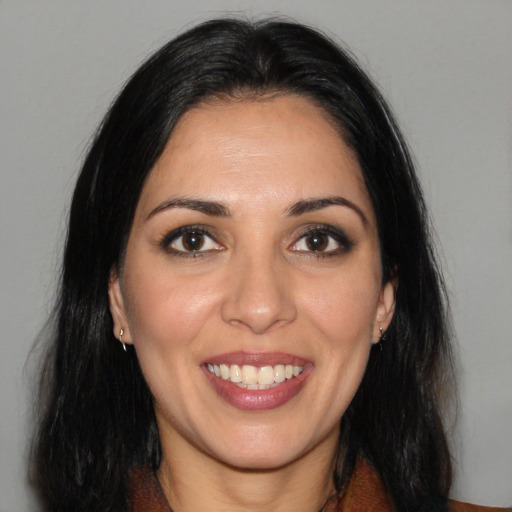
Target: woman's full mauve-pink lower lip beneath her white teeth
[259, 399]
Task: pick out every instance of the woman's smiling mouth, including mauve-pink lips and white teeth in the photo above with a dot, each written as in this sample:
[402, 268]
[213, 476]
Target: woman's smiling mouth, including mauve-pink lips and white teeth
[252, 381]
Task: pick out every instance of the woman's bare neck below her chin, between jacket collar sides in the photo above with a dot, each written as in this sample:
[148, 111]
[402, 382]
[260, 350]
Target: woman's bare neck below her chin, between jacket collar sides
[204, 483]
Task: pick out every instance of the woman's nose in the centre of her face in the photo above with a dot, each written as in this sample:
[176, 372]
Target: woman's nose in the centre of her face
[259, 294]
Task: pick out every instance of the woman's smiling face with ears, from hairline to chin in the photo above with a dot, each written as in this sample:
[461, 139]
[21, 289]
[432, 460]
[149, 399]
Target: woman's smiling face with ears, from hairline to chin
[252, 286]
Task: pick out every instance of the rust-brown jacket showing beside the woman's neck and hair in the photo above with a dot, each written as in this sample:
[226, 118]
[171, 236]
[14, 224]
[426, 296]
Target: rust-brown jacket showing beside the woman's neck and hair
[364, 493]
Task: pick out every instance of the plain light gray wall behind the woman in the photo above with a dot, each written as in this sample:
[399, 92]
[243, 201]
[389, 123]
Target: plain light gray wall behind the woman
[445, 66]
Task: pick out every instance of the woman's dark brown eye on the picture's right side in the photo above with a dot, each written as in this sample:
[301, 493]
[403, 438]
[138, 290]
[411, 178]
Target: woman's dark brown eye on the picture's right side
[322, 240]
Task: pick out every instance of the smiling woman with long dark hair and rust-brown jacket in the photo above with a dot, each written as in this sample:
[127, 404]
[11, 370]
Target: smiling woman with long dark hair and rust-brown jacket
[249, 226]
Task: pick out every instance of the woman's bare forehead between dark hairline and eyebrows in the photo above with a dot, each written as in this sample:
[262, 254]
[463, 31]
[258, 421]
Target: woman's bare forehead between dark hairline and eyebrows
[273, 150]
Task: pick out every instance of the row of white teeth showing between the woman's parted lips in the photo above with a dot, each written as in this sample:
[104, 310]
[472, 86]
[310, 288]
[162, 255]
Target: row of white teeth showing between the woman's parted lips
[254, 377]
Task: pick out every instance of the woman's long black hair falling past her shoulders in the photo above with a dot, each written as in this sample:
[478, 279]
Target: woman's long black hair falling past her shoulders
[98, 419]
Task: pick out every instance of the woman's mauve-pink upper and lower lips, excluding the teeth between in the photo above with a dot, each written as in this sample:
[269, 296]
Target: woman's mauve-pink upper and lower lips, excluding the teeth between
[258, 399]
